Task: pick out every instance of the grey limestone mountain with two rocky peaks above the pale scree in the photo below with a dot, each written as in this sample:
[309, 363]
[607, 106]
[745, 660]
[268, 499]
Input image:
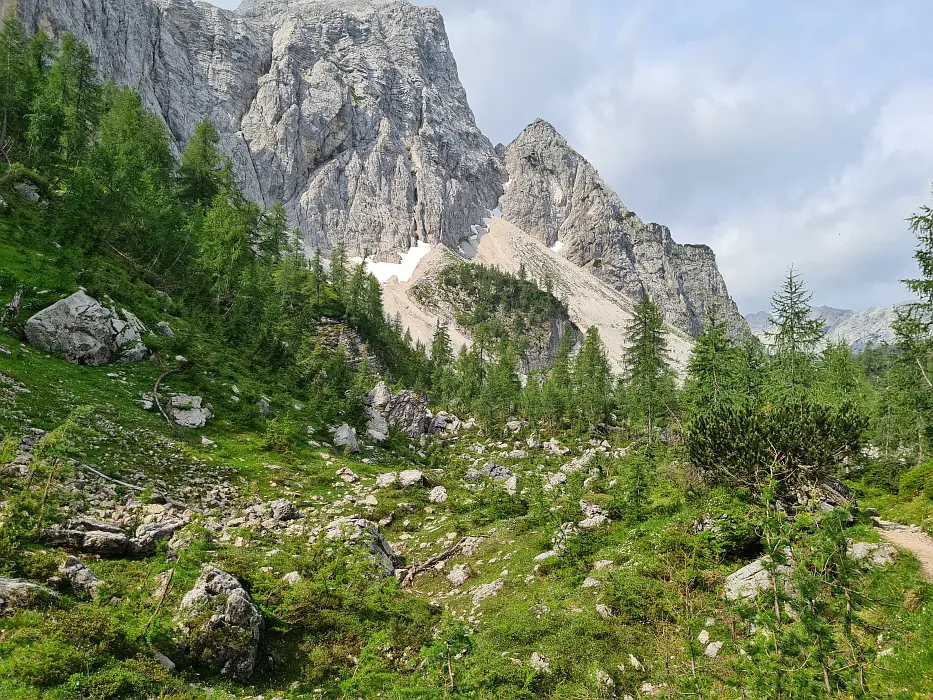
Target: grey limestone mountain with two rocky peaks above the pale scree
[351, 114]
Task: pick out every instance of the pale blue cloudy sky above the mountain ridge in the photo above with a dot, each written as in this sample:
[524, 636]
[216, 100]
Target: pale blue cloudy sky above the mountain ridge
[789, 133]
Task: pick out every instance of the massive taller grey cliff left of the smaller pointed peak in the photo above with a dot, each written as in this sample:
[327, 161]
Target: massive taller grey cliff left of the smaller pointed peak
[349, 112]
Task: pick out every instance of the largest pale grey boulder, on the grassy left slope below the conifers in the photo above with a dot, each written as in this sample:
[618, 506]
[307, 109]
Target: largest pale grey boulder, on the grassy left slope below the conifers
[86, 332]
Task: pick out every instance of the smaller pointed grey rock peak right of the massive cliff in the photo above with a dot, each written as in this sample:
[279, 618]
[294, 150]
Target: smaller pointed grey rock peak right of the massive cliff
[554, 194]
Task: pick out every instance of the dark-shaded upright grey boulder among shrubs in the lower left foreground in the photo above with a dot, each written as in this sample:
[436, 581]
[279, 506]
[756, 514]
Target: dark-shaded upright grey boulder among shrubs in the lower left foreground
[221, 624]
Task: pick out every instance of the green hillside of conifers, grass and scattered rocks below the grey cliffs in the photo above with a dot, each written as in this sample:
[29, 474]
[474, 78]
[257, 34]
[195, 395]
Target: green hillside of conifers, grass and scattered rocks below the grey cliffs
[350, 516]
